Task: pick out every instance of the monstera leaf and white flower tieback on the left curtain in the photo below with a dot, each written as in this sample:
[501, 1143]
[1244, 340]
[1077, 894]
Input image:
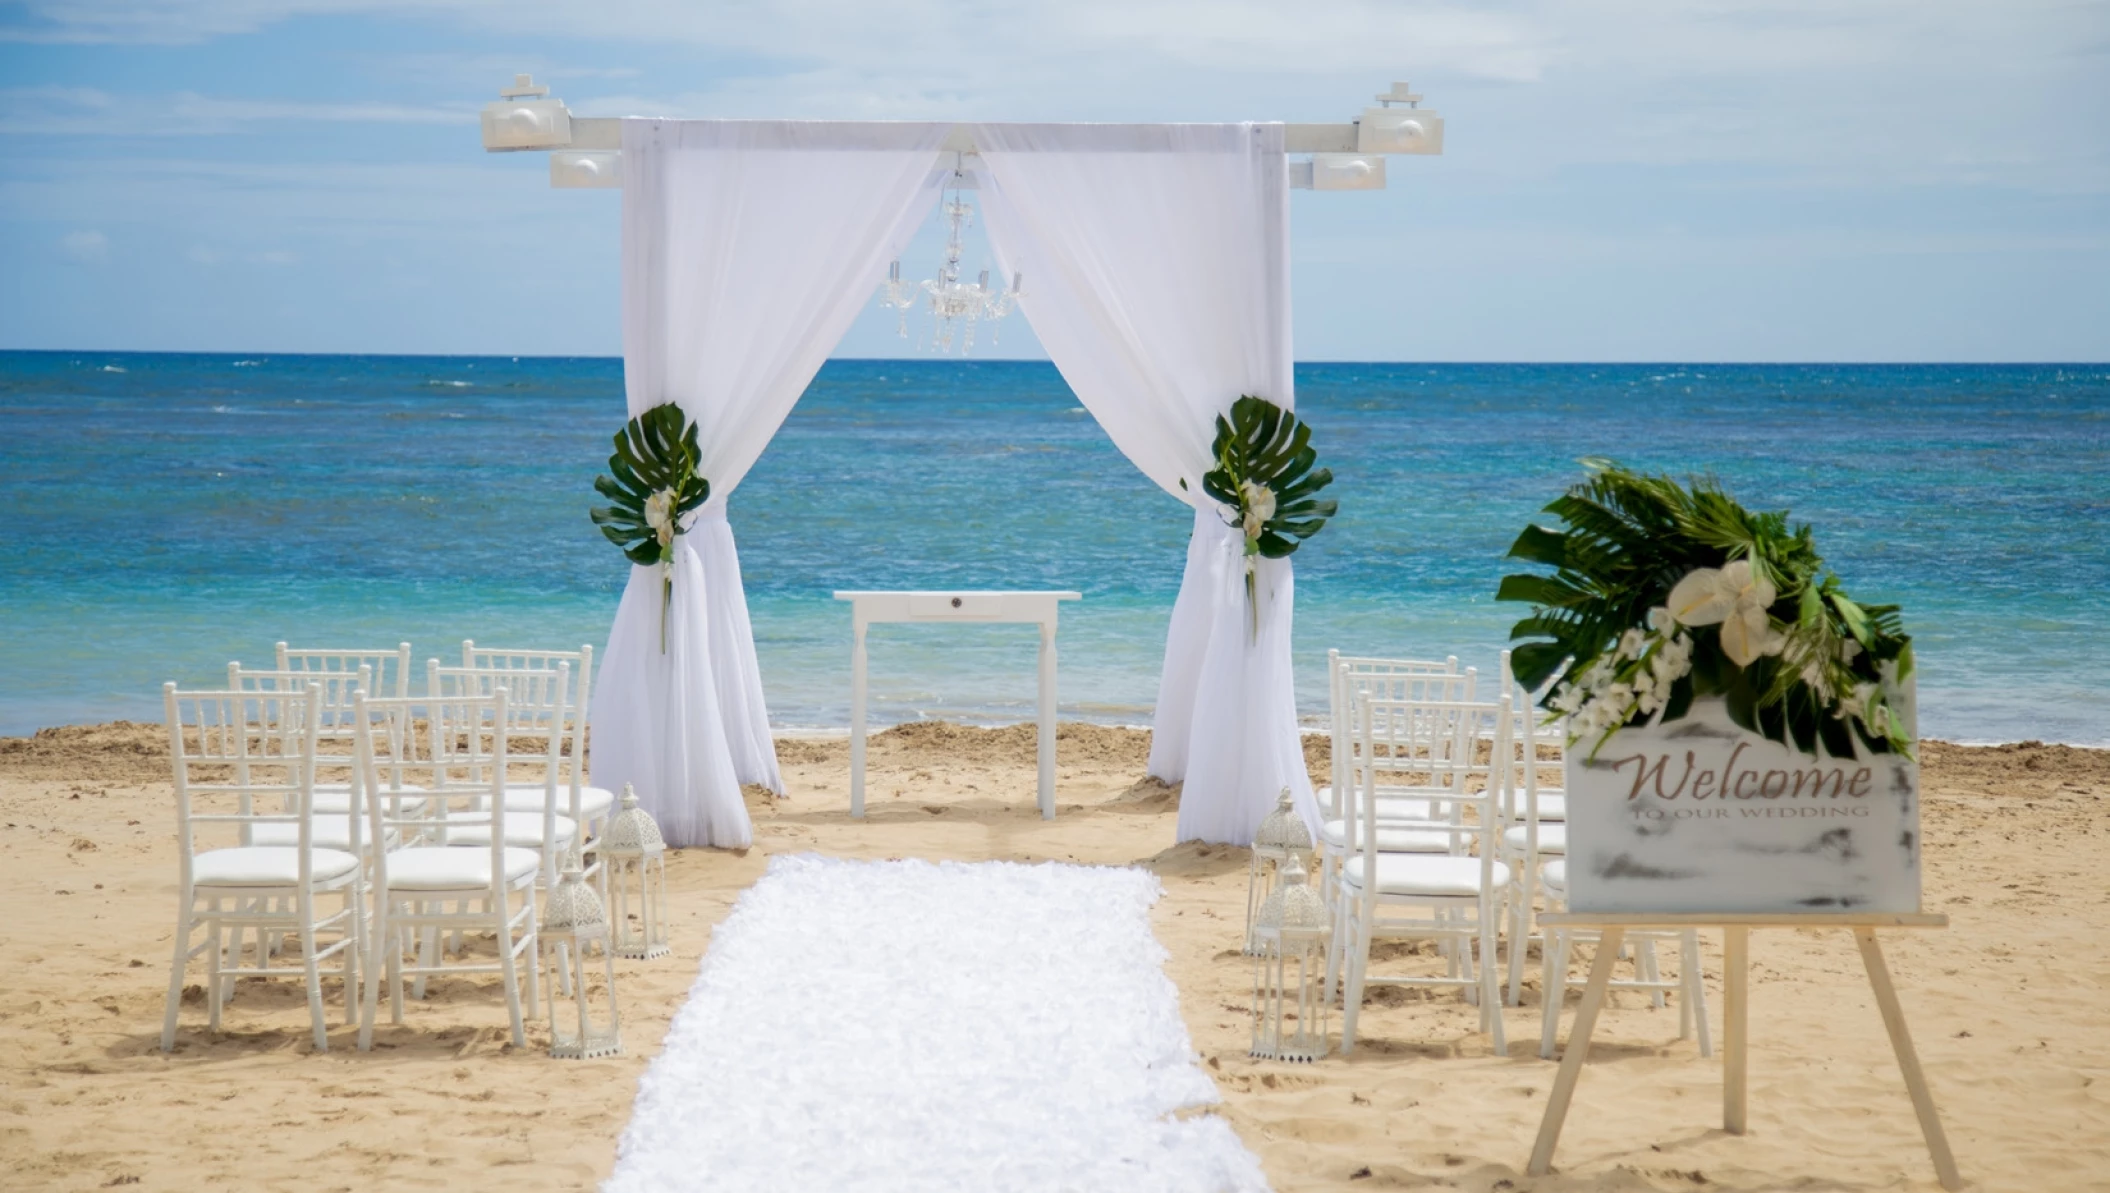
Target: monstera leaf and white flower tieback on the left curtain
[653, 487]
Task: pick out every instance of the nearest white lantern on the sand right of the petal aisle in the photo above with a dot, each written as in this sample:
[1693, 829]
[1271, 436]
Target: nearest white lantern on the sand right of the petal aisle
[1290, 970]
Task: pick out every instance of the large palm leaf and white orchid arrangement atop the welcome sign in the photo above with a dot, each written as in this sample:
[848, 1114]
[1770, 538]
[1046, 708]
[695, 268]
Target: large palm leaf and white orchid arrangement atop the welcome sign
[1668, 592]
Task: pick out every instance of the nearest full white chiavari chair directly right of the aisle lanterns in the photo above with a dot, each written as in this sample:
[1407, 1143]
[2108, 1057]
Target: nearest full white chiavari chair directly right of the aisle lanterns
[1455, 896]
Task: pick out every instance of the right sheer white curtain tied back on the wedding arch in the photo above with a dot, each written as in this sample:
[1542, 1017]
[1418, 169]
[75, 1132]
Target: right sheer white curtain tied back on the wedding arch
[1155, 271]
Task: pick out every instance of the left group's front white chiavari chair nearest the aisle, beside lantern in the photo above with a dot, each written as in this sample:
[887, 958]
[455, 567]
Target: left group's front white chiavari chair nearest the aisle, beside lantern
[434, 882]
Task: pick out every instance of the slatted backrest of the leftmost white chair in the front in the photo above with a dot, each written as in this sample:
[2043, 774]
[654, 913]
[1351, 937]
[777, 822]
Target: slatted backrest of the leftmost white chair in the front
[242, 759]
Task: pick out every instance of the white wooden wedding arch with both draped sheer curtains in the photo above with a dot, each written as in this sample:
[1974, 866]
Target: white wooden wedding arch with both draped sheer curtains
[1157, 263]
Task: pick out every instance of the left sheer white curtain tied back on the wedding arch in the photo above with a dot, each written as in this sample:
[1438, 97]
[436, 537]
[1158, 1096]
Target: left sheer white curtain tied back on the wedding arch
[748, 250]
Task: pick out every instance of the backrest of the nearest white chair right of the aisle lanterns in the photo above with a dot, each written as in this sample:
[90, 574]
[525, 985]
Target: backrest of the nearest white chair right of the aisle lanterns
[1434, 749]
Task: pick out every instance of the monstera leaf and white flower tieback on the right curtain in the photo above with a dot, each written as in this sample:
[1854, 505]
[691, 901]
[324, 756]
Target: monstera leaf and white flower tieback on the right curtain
[1265, 470]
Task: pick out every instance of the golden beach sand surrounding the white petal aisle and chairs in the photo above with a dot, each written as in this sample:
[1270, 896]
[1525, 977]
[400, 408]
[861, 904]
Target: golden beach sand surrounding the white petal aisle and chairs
[2010, 1006]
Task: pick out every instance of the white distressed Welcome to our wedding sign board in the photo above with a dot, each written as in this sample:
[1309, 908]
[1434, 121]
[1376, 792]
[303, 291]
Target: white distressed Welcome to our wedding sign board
[1702, 816]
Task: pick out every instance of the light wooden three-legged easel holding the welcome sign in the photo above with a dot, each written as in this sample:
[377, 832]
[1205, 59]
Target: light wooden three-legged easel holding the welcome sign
[1738, 930]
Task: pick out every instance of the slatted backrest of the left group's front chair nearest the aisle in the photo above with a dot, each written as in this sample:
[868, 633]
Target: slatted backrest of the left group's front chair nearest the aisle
[459, 765]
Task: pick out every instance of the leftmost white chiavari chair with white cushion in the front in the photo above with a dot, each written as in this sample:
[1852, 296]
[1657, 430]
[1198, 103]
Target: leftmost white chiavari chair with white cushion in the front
[244, 765]
